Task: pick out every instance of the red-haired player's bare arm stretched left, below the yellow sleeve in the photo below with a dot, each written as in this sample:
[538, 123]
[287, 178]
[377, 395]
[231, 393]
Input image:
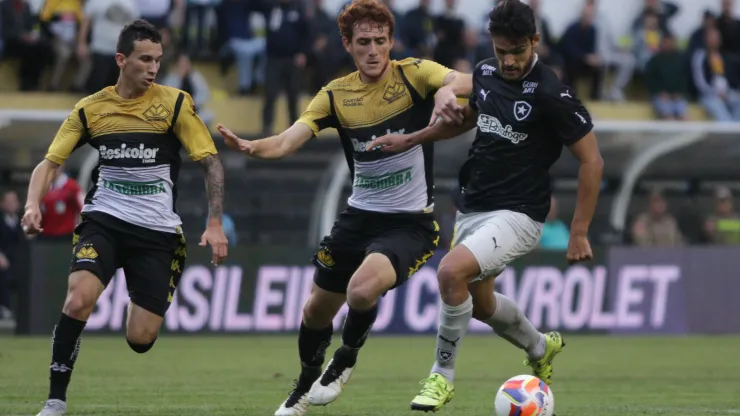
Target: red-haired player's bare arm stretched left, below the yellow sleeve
[274, 147]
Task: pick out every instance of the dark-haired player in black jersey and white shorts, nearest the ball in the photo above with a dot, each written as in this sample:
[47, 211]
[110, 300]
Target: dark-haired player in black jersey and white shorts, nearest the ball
[524, 117]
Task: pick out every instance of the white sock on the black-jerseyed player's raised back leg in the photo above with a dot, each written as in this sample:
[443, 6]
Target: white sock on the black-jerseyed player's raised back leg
[509, 322]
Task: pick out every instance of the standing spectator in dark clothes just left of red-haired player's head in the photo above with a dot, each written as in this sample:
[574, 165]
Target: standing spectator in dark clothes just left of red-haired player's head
[288, 42]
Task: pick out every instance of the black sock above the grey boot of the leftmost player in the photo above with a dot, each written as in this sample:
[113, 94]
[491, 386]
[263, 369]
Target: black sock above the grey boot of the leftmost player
[65, 347]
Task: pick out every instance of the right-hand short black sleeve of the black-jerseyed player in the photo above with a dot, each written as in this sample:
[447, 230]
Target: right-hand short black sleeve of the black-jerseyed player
[568, 118]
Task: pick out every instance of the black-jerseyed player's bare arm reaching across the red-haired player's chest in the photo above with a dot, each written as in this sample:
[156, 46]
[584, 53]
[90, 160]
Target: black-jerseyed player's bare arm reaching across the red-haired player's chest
[396, 143]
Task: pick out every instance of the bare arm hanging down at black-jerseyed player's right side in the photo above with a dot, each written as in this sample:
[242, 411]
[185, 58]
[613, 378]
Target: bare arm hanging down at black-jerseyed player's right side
[586, 150]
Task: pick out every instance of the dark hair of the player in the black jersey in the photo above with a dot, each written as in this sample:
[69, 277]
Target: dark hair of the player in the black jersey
[512, 19]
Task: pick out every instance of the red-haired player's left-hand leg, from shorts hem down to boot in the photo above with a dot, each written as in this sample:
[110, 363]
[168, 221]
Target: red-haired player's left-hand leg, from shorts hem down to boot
[314, 338]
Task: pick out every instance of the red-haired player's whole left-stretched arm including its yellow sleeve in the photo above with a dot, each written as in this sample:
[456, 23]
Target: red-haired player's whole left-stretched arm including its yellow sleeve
[316, 117]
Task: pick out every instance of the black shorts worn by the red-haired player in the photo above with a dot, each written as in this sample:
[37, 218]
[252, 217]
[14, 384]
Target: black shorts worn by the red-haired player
[408, 240]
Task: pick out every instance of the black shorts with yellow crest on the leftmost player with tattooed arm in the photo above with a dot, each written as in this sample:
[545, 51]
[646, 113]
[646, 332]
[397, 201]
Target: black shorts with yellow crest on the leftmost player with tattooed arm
[151, 260]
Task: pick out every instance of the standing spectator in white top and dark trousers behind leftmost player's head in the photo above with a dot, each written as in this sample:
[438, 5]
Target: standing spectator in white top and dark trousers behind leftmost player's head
[103, 21]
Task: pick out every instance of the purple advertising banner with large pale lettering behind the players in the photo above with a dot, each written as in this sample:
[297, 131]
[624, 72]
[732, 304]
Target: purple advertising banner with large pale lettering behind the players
[263, 290]
